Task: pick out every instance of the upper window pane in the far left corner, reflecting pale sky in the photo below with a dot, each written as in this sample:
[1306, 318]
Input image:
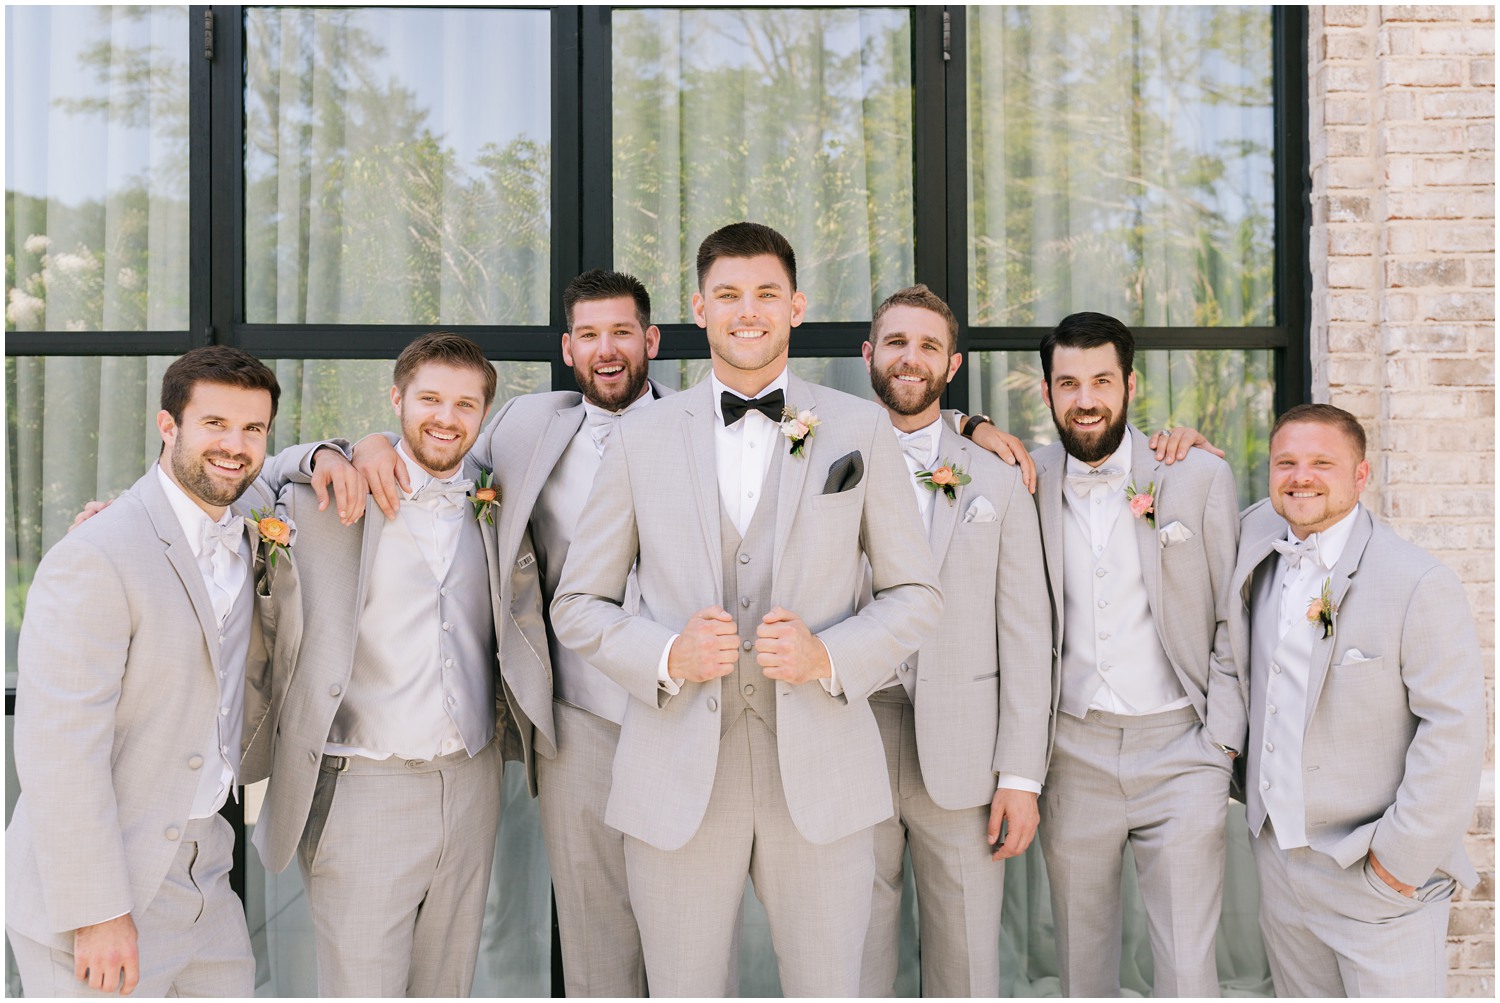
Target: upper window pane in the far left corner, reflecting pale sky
[97, 169]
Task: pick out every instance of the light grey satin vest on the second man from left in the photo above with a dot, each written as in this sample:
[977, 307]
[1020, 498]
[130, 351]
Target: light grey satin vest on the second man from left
[425, 653]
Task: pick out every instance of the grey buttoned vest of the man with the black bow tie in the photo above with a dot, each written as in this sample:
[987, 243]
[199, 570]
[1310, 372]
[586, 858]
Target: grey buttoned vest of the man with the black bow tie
[748, 597]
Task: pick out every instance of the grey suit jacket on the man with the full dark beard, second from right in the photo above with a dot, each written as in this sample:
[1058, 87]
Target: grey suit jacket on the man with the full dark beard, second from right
[1187, 584]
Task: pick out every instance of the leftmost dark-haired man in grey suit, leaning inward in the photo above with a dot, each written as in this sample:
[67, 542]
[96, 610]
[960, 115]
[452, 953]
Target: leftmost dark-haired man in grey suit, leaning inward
[142, 669]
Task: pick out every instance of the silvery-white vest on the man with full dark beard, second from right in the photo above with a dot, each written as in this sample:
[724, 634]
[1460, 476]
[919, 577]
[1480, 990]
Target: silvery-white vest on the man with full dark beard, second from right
[1109, 636]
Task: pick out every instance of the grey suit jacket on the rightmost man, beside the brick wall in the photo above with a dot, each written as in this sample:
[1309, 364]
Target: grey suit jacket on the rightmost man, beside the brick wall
[1394, 743]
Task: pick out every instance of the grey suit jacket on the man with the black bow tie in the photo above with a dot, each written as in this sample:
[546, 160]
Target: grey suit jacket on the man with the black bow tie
[656, 506]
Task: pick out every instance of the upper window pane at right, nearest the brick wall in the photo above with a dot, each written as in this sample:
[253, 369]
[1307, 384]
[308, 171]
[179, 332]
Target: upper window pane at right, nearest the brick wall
[1121, 161]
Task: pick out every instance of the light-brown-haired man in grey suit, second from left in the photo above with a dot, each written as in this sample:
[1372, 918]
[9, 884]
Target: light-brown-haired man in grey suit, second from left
[388, 764]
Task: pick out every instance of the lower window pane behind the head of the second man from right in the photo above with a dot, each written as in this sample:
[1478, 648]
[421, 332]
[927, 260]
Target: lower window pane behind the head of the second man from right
[1225, 395]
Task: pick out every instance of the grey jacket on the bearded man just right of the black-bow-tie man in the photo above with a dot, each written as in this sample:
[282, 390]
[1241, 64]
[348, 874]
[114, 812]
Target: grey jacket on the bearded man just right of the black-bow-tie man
[983, 677]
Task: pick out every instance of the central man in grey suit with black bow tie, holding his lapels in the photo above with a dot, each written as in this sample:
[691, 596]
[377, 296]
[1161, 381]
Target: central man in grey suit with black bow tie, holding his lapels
[748, 744]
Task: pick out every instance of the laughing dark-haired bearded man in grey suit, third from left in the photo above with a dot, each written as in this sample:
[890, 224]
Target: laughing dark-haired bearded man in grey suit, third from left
[545, 451]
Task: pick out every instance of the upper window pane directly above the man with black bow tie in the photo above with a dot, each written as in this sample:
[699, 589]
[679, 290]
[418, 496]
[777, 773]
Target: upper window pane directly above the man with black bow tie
[797, 119]
